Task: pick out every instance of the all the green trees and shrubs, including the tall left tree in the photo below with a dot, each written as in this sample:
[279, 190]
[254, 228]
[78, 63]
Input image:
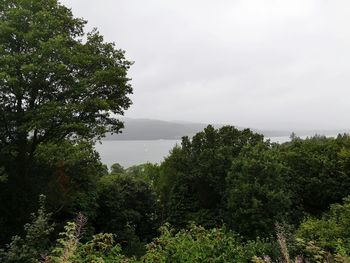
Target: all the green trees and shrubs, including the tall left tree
[223, 195]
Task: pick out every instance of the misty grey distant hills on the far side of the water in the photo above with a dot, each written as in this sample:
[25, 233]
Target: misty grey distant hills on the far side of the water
[147, 129]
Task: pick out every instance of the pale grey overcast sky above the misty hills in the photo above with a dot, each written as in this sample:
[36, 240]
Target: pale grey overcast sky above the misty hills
[272, 64]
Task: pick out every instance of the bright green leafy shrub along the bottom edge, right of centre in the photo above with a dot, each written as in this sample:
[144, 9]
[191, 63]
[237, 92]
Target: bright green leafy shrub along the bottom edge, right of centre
[199, 245]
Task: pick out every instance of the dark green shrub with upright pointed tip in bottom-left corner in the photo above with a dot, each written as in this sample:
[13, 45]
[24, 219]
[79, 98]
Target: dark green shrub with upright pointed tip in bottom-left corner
[34, 243]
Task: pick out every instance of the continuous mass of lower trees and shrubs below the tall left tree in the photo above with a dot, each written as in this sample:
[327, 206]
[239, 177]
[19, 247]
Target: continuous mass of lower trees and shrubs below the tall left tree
[226, 194]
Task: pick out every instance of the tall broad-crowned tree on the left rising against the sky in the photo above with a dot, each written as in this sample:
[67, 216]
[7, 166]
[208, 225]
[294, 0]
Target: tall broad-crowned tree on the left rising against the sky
[56, 83]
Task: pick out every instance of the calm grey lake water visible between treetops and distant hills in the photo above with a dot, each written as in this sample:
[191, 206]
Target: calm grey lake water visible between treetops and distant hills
[129, 153]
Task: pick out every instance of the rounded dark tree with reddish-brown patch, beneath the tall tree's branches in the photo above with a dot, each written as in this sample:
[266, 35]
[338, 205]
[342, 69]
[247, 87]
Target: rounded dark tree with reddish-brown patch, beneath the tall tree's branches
[74, 170]
